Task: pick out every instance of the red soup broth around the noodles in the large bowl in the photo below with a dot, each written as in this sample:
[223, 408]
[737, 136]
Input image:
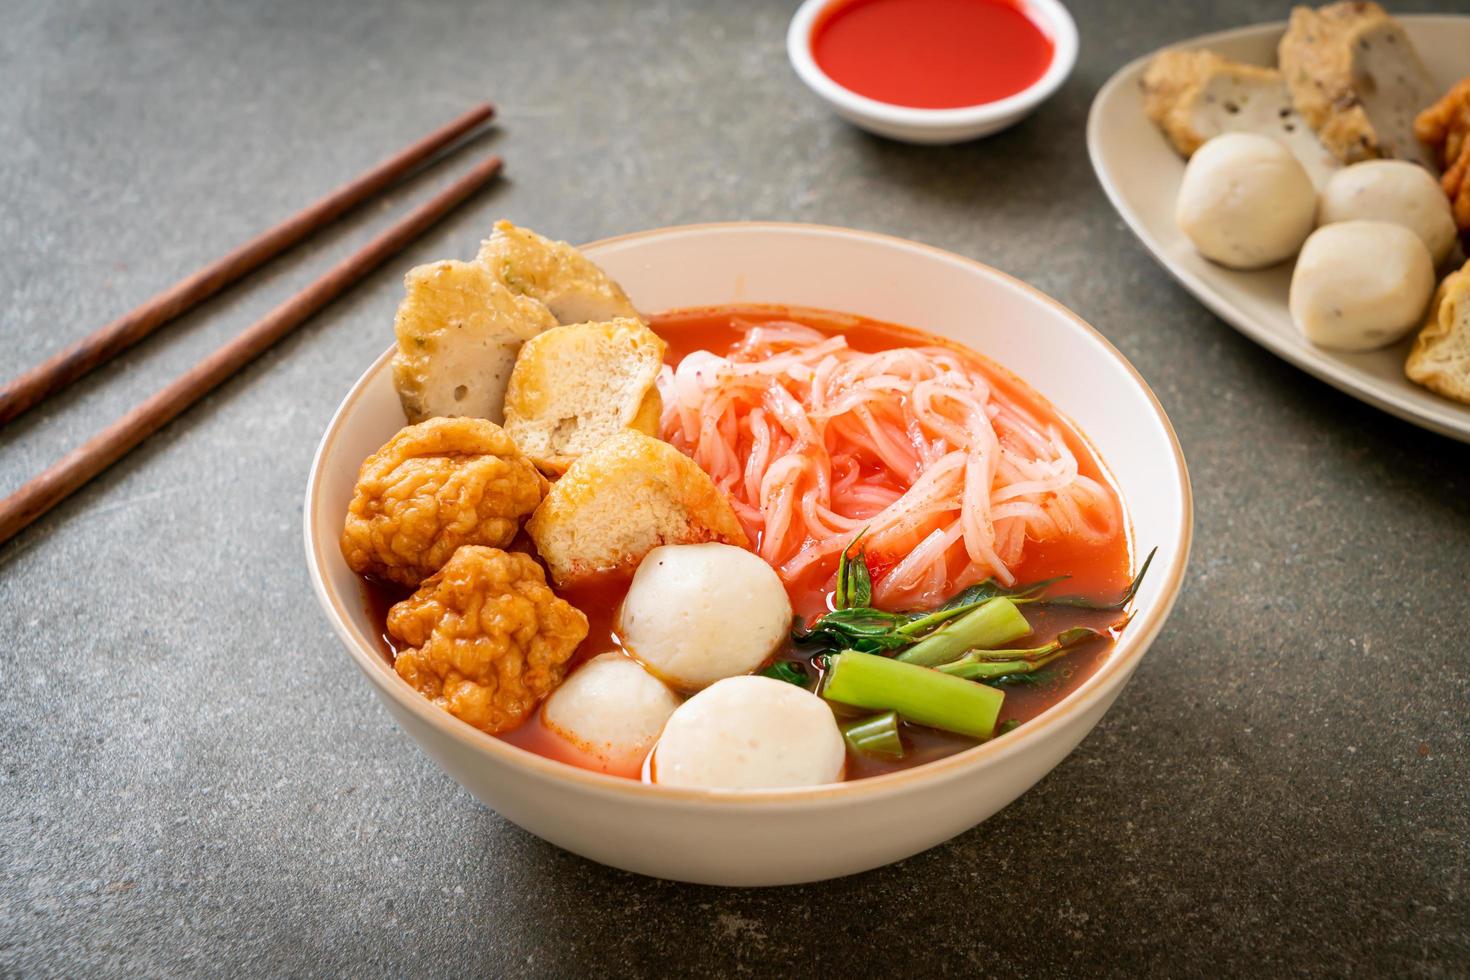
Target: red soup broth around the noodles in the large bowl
[1099, 572]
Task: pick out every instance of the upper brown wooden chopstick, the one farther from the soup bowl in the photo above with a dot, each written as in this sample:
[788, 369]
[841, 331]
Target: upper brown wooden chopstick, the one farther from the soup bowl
[67, 367]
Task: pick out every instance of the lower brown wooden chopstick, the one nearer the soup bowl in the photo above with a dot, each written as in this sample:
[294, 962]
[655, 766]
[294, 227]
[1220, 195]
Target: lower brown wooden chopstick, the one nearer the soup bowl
[105, 449]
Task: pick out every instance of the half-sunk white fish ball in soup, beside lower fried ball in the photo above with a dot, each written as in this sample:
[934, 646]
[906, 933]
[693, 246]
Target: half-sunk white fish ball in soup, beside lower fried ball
[612, 710]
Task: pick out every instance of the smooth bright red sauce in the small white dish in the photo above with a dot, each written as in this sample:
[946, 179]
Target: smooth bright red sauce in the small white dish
[931, 54]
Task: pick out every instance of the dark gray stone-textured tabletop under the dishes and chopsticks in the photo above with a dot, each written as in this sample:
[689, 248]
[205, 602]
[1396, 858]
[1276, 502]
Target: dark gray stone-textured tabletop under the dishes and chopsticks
[195, 779]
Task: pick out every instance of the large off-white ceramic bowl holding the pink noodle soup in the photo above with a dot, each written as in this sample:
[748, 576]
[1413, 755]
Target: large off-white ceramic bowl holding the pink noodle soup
[747, 838]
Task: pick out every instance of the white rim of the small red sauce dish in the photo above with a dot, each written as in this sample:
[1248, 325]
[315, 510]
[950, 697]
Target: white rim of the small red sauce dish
[1053, 17]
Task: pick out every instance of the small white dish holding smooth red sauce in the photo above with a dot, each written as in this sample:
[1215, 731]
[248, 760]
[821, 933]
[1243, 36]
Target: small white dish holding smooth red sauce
[936, 126]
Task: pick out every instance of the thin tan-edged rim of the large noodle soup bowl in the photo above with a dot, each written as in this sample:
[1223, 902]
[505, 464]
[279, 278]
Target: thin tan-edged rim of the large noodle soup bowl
[1125, 656]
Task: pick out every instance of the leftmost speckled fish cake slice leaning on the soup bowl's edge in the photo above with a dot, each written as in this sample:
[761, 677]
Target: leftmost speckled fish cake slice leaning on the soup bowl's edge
[459, 333]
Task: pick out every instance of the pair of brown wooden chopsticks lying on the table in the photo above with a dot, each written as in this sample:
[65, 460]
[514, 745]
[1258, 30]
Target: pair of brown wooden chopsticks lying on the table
[105, 449]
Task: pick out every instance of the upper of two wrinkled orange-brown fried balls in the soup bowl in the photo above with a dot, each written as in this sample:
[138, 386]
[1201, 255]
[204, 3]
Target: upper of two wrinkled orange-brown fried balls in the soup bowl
[434, 487]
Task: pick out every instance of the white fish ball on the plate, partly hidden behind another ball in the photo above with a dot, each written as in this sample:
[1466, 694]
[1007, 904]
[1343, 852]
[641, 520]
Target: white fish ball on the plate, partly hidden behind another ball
[1394, 192]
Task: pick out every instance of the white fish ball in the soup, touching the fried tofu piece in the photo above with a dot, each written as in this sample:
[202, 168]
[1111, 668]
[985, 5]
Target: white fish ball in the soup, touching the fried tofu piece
[699, 613]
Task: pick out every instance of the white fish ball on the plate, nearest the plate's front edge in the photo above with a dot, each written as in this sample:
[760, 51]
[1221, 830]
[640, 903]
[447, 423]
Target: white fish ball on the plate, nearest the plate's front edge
[1360, 286]
